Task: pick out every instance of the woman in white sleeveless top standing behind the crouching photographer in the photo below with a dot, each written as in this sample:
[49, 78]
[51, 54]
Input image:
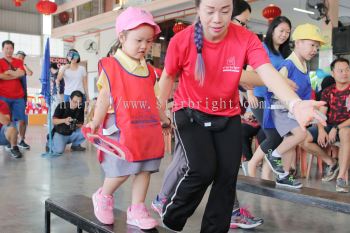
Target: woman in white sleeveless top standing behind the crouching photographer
[74, 75]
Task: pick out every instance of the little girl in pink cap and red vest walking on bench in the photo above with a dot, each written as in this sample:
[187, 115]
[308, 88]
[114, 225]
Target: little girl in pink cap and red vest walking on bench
[125, 80]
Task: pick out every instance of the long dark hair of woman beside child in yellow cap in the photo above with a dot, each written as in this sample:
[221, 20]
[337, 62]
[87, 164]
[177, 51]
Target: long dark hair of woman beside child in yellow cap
[284, 48]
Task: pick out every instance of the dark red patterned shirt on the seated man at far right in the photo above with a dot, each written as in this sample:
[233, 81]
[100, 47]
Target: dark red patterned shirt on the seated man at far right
[338, 104]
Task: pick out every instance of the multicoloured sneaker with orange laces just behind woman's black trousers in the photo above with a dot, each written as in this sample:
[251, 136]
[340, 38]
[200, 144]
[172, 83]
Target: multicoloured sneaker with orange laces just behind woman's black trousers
[241, 218]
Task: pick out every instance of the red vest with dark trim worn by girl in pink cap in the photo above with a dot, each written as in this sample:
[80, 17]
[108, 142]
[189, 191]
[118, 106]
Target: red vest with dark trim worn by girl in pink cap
[135, 107]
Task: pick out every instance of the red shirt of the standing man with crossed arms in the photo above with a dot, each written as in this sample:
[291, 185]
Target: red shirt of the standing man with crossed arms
[11, 88]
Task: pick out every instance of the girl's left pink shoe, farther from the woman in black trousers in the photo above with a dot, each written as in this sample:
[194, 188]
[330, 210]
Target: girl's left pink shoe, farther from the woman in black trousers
[103, 207]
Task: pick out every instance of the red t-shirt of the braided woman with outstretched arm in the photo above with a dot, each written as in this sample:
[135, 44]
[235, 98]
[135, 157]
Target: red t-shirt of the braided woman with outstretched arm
[223, 60]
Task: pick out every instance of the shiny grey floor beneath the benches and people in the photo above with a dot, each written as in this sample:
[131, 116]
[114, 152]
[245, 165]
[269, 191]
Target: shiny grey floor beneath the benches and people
[27, 182]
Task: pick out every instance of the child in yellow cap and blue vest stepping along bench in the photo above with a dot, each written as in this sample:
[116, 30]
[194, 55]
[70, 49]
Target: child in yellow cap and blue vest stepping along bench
[307, 39]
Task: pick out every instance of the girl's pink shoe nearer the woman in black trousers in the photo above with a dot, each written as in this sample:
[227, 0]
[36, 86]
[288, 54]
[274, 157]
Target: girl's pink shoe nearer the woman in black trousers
[138, 215]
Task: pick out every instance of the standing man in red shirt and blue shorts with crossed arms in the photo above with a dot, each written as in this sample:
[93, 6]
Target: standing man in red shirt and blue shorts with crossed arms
[11, 90]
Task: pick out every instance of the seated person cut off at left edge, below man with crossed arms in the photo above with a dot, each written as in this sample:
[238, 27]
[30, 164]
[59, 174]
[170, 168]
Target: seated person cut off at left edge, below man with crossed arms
[8, 133]
